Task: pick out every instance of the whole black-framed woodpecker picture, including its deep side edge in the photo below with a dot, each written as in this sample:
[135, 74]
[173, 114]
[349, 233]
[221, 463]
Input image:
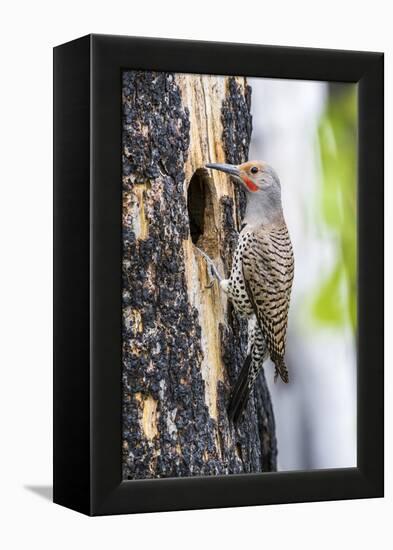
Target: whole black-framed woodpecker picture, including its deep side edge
[218, 275]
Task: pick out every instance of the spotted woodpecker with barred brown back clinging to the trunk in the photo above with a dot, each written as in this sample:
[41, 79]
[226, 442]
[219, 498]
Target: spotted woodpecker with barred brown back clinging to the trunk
[261, 277]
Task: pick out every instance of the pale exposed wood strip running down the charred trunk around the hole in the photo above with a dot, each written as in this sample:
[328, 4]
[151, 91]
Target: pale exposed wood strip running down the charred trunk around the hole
[203, 96]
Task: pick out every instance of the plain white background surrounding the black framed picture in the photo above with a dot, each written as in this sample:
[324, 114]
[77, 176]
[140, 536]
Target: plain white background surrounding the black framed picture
[29, 30]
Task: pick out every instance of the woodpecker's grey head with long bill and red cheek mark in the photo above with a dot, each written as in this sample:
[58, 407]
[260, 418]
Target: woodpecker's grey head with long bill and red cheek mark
[263, 189]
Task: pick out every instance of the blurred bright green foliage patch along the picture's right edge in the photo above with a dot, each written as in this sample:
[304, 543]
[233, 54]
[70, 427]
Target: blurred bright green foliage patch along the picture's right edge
[335, 299]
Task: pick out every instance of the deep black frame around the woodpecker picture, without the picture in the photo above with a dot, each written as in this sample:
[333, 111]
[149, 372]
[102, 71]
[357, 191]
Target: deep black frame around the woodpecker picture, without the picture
[87, 275]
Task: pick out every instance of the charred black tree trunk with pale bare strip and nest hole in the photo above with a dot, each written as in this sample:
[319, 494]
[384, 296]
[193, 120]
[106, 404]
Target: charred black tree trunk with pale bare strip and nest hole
[183, 344]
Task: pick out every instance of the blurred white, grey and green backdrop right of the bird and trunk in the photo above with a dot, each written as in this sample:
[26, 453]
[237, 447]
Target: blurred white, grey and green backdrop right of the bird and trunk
[308, 132]
